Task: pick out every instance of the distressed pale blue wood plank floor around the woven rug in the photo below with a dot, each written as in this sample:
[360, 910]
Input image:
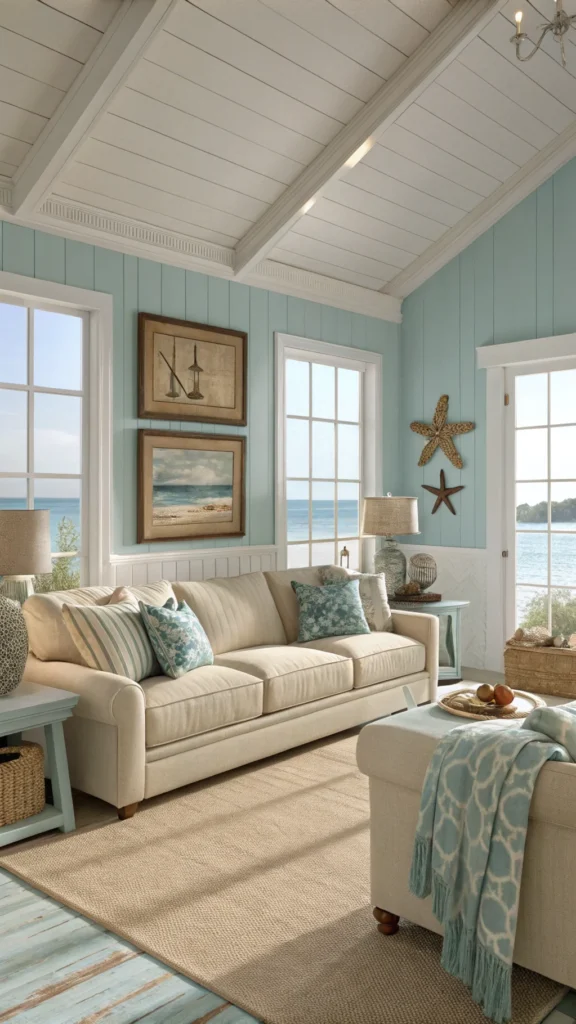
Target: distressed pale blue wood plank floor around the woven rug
[60, 968]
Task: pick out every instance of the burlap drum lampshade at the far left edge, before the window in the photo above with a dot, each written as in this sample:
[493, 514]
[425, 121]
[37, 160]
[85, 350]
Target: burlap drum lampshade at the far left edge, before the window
[25, 542]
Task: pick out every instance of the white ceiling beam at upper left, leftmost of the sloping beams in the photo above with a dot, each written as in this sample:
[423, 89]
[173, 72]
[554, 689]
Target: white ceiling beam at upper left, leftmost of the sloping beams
[132, 30]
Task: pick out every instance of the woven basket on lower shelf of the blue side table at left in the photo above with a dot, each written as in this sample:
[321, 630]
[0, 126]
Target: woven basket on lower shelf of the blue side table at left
[22, 784]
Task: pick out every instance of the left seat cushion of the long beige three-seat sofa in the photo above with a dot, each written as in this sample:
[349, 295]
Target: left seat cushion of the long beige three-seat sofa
[203, 700]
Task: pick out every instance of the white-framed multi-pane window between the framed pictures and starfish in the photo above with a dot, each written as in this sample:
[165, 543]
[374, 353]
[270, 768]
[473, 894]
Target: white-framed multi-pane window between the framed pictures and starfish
[328, 451]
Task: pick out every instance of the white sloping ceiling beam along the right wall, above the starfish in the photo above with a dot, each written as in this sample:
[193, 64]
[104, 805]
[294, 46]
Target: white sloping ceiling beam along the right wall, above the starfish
[521, 185]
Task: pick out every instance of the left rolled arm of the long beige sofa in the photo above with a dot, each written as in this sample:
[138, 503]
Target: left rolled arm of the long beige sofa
[106, 738]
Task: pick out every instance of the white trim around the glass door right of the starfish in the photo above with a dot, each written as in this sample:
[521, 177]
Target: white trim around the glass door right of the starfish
[496, 360]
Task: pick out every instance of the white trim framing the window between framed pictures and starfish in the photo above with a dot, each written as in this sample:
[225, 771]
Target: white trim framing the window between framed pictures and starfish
[287, 345]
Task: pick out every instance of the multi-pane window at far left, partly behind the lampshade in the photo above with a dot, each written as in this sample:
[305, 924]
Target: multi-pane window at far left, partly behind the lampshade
[44, 436]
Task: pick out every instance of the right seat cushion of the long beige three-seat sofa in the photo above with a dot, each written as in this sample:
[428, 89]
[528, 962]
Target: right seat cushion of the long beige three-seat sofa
[377, 657]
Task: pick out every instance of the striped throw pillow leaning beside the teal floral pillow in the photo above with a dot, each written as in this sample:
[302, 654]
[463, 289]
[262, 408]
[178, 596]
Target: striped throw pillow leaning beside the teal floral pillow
[112, 638]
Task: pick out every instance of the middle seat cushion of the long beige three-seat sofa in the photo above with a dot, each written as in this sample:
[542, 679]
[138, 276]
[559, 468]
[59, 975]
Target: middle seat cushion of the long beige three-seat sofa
[293, 675]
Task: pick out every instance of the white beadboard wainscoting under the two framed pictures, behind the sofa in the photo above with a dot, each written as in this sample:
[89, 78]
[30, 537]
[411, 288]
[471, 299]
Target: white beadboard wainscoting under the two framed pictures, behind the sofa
[202, 564]
